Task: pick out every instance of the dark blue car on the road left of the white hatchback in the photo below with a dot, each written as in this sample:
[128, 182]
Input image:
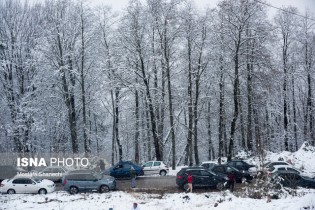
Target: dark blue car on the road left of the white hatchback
[122, 169]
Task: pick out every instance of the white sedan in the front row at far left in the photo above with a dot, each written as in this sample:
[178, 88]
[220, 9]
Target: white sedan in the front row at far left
[27, 185]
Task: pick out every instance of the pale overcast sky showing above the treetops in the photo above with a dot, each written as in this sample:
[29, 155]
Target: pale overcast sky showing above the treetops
[300, 4]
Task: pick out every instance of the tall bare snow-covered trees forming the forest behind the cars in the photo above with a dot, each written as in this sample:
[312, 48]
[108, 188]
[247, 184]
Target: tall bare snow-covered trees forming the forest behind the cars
[160, 80]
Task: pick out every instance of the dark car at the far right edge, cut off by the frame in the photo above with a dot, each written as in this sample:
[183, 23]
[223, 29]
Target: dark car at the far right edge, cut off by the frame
[292, 180]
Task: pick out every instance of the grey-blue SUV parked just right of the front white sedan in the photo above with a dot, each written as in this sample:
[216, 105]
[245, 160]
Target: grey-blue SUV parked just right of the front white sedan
[88, 181]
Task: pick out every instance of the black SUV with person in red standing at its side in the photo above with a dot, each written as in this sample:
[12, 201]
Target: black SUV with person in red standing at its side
[201, 178]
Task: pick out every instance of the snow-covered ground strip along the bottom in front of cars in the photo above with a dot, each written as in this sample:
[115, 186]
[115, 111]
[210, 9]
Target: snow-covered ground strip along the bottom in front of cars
[122, 200]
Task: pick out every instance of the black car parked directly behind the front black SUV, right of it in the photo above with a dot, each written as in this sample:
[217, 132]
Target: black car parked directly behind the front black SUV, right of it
[241, 176]
